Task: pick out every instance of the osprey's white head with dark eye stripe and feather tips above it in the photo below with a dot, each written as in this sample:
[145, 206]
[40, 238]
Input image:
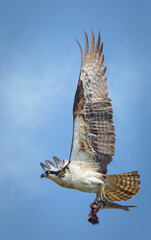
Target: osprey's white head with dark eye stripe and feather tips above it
[52, 171]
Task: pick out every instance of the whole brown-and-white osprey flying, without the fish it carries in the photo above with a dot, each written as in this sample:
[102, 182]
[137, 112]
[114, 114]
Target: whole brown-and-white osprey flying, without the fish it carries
[93, 143]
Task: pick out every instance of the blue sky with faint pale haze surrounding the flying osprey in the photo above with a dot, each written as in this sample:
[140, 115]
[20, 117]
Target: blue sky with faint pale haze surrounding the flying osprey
[39, 68]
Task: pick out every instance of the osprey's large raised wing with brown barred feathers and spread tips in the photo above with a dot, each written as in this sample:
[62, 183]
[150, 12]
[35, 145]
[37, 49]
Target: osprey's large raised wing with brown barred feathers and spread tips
[93, 133]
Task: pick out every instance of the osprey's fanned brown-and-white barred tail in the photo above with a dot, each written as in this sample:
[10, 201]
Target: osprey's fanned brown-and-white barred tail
[122, 186]
